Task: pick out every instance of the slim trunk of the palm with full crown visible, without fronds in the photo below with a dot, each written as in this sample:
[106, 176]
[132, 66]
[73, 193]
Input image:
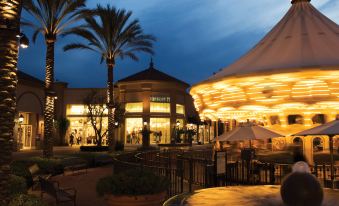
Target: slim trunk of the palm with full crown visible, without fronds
[110, 133]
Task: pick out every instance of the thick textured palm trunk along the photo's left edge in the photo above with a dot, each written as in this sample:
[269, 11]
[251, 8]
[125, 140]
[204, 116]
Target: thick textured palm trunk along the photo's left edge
[10, 11]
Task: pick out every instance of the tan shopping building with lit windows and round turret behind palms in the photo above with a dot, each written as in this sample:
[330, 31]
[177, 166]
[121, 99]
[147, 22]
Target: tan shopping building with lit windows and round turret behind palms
[149, 97]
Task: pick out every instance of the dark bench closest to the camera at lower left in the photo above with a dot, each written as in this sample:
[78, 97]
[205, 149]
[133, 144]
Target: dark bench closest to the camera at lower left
[61, 195]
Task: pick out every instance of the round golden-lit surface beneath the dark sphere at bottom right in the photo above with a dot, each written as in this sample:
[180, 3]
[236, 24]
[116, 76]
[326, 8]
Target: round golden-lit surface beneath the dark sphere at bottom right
[265, 195]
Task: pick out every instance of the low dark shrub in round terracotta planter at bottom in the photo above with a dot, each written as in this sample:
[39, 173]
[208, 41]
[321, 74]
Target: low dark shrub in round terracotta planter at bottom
[133, 187]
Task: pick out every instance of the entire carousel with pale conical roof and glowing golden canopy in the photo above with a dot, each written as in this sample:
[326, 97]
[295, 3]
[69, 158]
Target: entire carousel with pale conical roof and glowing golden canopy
[289, 81]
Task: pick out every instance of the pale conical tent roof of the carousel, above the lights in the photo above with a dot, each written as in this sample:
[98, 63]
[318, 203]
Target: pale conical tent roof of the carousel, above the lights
[304, 38]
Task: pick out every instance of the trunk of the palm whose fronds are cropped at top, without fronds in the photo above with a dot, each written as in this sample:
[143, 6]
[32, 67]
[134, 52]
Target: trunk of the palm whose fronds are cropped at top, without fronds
[49, 101]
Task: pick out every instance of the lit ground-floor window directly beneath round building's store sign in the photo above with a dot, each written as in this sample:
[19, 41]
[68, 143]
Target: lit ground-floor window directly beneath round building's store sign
[160, 128]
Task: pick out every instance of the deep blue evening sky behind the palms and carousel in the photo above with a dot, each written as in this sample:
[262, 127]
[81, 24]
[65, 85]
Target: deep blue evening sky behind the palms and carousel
[194, 38]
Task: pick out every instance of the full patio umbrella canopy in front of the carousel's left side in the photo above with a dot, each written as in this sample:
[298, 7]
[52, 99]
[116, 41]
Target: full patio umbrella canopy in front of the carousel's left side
[249, 133]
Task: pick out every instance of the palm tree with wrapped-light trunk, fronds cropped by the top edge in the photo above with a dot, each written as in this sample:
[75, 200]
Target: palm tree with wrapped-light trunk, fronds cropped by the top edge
[51, 19]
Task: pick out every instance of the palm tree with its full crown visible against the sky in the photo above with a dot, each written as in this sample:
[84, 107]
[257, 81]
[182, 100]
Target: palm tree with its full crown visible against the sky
[109, 32]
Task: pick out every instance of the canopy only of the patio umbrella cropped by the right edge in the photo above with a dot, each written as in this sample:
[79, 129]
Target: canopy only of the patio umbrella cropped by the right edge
[329, 129]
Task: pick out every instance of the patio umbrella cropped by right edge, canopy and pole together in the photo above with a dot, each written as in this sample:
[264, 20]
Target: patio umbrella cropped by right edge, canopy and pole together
[330, 129]
